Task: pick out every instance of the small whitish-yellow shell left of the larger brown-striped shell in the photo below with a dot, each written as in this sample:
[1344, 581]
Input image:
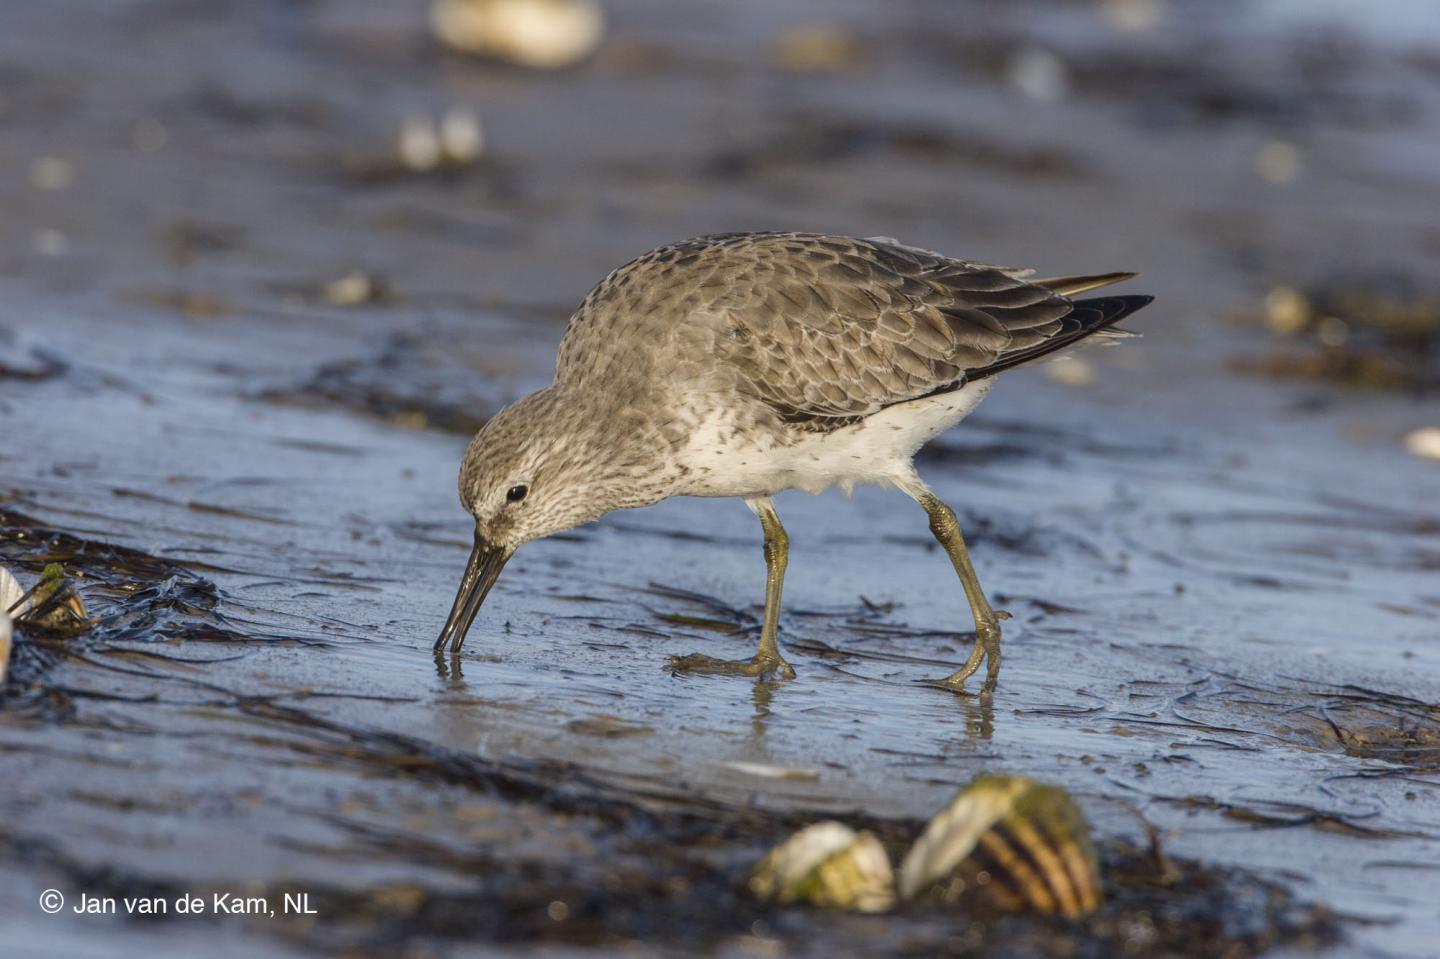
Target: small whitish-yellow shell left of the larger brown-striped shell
[829, 865]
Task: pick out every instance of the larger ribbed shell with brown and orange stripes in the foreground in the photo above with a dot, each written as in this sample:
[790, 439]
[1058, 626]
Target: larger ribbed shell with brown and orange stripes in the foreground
[1012, 842]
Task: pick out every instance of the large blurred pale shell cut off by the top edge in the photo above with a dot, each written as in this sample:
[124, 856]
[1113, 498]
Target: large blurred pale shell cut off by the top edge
[539, 34]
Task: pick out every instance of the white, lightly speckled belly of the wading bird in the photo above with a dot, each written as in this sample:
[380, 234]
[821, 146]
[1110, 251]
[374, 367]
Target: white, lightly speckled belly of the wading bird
[876, 451]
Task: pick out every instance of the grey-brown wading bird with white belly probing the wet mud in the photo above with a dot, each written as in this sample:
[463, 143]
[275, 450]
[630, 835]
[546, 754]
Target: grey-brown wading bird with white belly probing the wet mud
[750, 364]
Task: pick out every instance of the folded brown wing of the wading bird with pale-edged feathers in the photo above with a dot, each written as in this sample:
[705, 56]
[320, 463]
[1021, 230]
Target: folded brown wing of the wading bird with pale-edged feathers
[834, 328]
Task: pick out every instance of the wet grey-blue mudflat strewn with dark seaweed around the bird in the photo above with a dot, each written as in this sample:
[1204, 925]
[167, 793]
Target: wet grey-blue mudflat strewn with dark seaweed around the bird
[1225, 585]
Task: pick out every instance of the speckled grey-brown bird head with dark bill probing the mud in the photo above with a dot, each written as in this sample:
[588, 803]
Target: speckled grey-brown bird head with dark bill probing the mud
[526, 474]
